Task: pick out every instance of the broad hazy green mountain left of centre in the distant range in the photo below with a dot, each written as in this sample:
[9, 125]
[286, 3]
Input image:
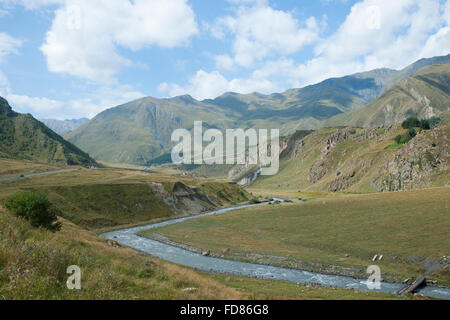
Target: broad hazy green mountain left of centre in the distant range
[141, 130]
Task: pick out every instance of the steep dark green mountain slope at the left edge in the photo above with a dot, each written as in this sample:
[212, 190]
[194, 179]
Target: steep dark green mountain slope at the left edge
[23, 137]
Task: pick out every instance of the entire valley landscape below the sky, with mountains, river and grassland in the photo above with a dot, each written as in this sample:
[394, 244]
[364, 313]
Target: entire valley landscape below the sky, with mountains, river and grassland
[360, 186]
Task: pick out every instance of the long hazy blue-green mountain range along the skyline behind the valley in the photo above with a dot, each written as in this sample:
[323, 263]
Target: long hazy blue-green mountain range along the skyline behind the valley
[139, 131]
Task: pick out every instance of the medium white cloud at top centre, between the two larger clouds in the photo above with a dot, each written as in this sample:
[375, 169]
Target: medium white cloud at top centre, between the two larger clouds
[260, 31]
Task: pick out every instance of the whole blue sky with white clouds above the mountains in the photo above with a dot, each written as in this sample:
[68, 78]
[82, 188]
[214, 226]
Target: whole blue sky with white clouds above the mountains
[65, 59]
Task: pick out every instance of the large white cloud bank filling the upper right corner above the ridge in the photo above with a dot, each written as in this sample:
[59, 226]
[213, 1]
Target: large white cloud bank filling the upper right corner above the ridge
[408, 30]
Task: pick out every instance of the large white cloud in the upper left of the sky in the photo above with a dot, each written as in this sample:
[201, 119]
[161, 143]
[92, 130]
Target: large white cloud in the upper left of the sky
[85, 34]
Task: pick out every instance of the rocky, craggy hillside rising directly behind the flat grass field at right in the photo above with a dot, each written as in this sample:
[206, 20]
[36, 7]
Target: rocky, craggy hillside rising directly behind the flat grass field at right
[363, 160]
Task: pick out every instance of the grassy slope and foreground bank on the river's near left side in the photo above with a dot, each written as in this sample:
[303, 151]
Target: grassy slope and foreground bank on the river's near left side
[33, 261]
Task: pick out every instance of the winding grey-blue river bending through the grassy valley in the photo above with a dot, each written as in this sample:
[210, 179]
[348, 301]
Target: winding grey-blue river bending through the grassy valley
[129, 237]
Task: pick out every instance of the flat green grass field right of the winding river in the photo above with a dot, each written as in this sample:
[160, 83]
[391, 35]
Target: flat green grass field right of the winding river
[344, 231]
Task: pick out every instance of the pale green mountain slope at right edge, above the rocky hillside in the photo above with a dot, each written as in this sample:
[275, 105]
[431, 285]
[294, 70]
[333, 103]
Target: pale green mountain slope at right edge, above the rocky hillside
[424, 94]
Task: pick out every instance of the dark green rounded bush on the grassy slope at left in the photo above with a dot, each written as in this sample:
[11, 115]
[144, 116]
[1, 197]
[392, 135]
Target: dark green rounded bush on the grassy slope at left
[35, 208]
